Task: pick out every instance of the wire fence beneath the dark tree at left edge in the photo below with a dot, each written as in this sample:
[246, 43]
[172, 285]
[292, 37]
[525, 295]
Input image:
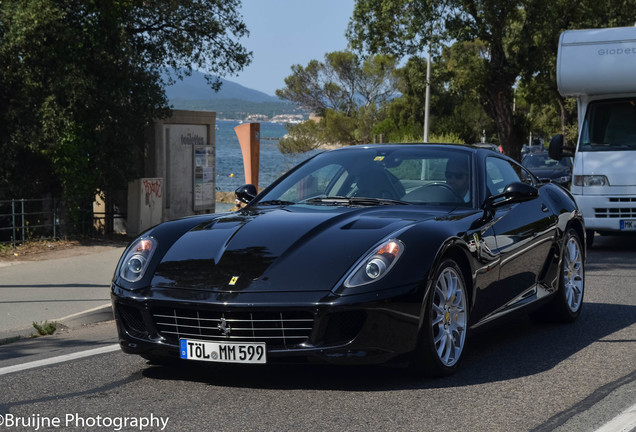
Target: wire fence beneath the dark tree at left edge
[24, 220]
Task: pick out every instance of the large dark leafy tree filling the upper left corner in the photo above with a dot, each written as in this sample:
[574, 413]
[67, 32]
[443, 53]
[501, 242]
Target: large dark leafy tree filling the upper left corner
[81, 79]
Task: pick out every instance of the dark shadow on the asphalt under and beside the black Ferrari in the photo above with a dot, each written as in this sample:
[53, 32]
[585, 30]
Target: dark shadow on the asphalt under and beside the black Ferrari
[516, 349]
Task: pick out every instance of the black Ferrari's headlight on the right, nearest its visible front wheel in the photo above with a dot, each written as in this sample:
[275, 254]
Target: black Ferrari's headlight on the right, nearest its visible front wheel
[376, 264]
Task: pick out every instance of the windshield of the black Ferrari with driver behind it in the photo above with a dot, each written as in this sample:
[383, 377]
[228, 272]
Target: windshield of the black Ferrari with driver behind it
[379, 175]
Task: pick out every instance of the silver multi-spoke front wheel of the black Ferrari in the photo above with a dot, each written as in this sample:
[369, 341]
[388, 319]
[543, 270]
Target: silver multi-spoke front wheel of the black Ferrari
[448, 316]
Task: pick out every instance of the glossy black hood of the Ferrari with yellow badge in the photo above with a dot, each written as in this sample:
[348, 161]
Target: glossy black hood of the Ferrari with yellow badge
[291, 248]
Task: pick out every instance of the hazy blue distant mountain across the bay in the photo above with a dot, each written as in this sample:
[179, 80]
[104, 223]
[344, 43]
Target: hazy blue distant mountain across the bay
[232, 101]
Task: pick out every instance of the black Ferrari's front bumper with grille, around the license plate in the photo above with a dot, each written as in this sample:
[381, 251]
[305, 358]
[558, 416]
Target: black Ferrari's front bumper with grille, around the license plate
[297, 327]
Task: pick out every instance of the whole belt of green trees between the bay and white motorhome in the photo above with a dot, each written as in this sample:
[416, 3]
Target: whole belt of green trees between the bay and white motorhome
[492, 77]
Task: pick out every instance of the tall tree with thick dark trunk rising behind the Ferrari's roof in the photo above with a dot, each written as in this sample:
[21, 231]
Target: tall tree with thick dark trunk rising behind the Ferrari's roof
[494, 23]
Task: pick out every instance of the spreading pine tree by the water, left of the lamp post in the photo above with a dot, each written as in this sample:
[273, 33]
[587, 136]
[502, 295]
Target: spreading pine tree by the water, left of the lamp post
[345, 91]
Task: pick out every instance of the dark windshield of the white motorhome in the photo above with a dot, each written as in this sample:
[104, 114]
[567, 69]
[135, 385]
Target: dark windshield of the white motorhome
[609, 126]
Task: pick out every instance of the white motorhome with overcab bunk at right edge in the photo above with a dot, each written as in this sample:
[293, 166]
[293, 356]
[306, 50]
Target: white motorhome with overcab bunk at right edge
[598, 67]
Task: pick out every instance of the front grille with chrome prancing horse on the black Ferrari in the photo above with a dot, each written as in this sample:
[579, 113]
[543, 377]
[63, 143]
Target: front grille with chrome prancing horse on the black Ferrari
[277, 329]
